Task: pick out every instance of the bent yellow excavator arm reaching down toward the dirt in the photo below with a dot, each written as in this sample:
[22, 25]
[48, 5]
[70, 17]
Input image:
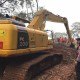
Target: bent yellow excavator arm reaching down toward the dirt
[41, 16]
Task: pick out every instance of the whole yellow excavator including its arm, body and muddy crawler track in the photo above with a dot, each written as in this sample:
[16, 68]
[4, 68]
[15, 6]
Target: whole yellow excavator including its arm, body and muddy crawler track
[23, 48]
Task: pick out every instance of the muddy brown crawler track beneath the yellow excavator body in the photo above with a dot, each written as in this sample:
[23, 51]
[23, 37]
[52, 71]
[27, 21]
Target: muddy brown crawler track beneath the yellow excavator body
[27, 67]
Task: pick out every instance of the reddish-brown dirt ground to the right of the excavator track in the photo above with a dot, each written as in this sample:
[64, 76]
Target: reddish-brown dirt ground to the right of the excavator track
[65, 70]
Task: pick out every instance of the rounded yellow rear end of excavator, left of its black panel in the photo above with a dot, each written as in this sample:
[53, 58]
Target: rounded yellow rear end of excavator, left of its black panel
[10, 37]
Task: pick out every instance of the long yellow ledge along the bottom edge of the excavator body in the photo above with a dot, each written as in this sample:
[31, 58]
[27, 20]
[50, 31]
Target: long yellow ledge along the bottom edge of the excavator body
[8, 53]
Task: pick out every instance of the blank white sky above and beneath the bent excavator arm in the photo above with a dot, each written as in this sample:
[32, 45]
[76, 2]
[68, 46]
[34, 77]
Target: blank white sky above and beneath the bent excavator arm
[65, 8]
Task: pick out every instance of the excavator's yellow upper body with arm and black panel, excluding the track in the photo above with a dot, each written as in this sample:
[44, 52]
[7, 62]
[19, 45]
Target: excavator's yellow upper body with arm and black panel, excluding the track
[16, 39]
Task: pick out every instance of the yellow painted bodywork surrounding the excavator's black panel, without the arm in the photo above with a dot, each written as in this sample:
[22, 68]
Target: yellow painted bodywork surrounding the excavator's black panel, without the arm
[38, 40]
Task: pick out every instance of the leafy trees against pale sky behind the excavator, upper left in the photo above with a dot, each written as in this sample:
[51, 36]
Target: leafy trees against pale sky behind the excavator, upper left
[17, 7]
